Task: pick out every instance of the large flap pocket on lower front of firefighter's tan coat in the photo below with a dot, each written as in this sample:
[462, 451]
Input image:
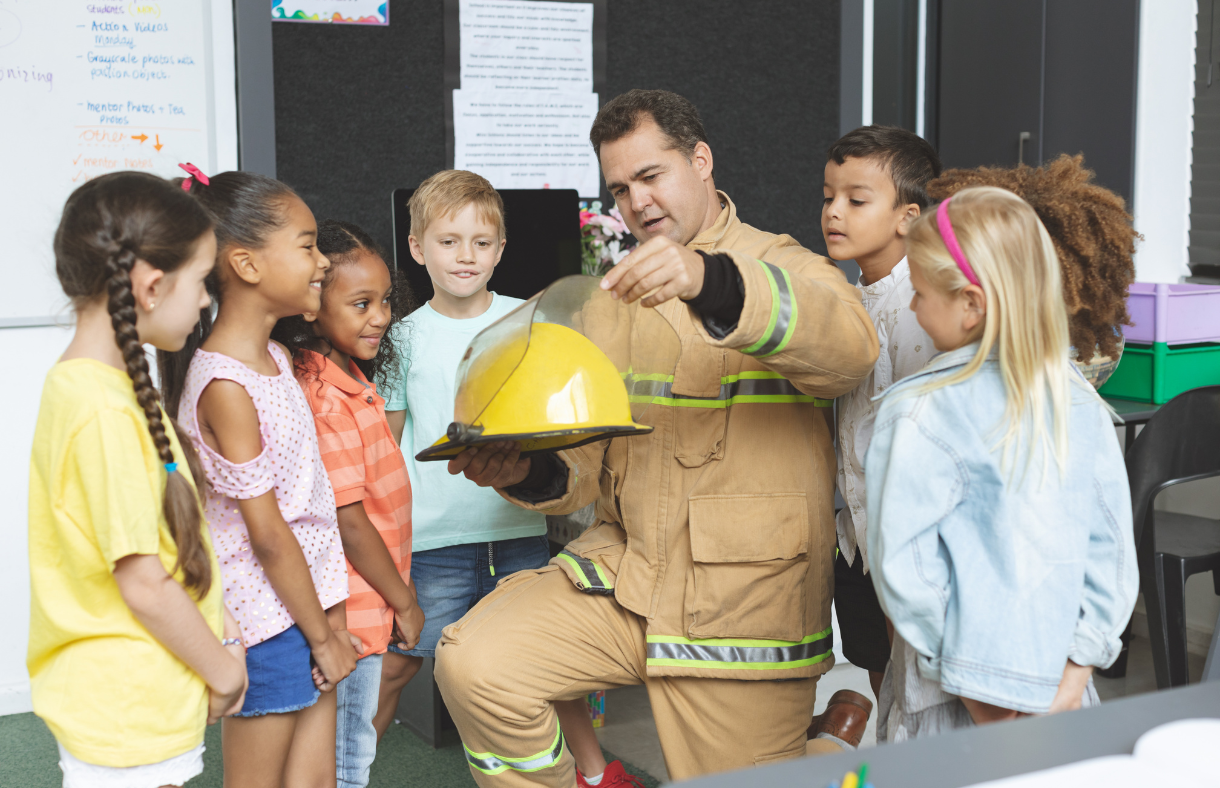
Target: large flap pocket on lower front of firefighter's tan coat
[751, 559]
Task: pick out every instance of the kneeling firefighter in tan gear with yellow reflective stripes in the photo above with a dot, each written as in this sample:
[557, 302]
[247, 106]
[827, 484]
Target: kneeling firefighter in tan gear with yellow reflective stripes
[709, 573]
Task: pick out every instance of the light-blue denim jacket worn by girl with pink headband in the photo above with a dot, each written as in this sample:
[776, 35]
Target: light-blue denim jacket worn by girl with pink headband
[994, 576]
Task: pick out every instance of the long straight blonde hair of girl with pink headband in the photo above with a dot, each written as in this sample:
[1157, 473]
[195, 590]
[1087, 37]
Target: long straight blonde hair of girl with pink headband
[1018, 269]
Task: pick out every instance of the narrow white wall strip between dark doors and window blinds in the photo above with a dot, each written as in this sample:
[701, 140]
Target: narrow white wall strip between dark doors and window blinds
[1164, 108]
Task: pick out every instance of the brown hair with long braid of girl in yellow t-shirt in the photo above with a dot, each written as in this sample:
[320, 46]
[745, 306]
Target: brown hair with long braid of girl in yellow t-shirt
[108, 225]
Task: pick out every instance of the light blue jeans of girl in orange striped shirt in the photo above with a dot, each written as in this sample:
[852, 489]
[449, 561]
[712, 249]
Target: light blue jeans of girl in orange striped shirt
[356, 740]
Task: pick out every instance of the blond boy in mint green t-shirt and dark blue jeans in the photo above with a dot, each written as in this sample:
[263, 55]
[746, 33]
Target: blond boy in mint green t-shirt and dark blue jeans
[467, 539]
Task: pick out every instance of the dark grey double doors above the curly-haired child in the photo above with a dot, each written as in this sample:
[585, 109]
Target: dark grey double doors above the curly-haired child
[1029, 80]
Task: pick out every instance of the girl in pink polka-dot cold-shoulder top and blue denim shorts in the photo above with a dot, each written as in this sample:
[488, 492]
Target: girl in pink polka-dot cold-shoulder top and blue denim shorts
[270, 506]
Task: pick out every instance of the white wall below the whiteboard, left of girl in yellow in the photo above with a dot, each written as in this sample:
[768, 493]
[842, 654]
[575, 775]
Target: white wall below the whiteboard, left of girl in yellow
[32, 352]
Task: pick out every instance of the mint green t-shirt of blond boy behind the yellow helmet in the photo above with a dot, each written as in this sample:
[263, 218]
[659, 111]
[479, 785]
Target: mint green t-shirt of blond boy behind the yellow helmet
[447, 509]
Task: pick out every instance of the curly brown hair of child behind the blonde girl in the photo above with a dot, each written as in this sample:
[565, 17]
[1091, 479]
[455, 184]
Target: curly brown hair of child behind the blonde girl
[1093, 235]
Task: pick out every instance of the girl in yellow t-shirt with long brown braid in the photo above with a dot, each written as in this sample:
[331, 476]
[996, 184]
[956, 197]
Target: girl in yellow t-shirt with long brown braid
[126, 653]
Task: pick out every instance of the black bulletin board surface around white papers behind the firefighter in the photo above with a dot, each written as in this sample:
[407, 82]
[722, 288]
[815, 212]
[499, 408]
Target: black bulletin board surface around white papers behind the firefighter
[361, 110]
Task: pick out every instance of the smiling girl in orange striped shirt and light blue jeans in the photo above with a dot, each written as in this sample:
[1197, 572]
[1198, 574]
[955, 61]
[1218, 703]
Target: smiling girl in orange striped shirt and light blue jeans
[341, 354]
